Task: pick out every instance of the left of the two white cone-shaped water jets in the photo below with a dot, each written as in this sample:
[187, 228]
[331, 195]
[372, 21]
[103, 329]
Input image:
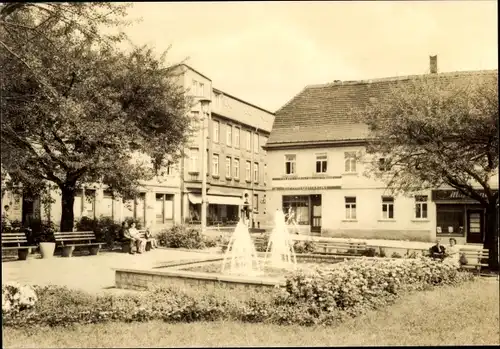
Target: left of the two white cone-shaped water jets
[241, 255]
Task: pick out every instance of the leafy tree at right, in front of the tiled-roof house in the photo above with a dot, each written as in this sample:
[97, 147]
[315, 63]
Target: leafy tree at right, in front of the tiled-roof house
[439, 131]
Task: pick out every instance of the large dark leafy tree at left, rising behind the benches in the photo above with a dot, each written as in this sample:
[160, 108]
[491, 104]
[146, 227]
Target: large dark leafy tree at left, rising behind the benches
[76, 110]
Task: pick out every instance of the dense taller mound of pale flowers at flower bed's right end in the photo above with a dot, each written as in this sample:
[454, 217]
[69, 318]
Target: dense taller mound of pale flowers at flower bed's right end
[367, 283]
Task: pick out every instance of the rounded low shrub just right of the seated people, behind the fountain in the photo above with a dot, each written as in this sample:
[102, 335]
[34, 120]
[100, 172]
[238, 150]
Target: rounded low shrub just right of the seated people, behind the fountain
[181, 236]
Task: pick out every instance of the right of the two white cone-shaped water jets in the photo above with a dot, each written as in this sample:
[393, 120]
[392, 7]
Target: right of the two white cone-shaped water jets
[279, 252]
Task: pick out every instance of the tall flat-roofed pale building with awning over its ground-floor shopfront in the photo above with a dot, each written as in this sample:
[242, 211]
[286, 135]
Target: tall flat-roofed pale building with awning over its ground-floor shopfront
[235, 133]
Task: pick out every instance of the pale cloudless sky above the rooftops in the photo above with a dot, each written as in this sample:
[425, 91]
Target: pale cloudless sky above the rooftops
[267, 52]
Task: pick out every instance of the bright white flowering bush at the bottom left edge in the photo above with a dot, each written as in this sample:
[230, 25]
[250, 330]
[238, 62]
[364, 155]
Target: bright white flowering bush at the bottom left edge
[17, 297]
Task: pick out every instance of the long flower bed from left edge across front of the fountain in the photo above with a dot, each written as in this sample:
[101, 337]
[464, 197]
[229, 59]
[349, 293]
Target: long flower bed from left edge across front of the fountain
[323, 295]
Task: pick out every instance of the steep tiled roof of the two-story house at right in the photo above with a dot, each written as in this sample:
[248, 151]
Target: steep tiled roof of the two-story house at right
[322, 112]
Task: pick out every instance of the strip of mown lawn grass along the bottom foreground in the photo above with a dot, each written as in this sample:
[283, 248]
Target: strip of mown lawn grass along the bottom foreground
[463, 315]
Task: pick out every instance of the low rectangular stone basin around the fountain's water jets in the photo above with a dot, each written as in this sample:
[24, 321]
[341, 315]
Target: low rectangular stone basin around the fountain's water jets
[206, 274]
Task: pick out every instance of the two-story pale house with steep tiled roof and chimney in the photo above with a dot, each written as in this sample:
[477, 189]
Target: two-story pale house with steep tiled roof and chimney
[315, 171]
